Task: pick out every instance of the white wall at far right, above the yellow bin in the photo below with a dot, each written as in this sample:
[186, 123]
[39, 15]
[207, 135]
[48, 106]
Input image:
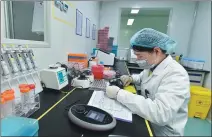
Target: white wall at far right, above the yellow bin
[201, 41]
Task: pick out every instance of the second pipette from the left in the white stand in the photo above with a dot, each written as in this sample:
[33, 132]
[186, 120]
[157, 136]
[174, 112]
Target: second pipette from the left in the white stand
[12, 62]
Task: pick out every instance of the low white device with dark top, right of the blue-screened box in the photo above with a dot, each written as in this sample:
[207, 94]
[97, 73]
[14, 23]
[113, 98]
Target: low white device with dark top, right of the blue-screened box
[81, 82]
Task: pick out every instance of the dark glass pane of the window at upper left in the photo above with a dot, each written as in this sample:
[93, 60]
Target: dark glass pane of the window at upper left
[20, 19]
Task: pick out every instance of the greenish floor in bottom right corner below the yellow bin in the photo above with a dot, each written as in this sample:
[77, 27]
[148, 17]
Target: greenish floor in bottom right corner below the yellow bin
[197, 127]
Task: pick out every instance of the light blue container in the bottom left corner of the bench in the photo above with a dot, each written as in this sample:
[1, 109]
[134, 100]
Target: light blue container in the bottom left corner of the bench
[19, 126]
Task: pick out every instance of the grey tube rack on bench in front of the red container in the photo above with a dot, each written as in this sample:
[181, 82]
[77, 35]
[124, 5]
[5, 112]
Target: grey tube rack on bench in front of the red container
[98, 85]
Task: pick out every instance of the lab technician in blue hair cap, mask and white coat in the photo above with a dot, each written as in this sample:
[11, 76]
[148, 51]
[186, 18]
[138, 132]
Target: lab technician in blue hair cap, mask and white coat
[164, 84]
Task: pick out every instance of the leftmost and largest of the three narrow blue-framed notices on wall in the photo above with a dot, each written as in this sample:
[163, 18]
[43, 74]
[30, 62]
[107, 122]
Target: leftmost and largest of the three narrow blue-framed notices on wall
[79, 19]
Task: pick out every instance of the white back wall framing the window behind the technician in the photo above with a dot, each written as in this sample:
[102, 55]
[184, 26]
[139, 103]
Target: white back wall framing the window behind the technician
[179, 28]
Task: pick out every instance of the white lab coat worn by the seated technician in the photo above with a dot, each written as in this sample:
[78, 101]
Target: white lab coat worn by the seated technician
[167, 104]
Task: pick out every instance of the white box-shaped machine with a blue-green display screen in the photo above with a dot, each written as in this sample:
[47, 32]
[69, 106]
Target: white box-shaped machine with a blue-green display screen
[54, 78]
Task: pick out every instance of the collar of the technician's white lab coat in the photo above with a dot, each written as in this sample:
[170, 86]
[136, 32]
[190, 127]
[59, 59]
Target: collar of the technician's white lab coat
[162, 65]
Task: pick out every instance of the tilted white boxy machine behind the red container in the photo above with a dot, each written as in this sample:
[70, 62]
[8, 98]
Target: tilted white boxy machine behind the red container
[105, 57]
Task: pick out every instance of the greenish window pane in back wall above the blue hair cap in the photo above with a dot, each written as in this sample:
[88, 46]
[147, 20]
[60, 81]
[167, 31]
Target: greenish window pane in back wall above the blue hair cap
[126, 32]
